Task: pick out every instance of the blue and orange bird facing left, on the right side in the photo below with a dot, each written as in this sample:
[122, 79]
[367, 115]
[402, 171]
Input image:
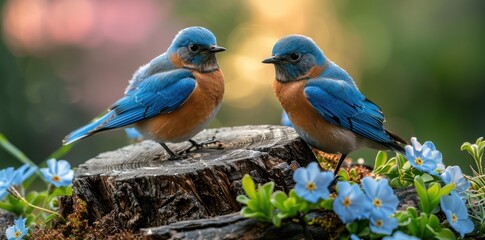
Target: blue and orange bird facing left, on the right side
[322, 101]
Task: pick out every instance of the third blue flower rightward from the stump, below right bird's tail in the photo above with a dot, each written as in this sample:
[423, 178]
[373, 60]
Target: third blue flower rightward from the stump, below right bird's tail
[380, 194]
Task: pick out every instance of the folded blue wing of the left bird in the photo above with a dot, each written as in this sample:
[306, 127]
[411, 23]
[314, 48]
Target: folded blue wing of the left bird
[160, 93]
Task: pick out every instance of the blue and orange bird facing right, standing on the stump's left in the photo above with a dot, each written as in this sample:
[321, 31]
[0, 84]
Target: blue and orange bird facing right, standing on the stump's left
[173, 97]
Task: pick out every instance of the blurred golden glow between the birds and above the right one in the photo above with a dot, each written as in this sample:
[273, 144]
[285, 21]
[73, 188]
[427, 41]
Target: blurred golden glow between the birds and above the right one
[248, 80]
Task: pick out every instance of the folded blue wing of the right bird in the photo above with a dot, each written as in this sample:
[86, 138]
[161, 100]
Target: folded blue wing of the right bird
[342, 104]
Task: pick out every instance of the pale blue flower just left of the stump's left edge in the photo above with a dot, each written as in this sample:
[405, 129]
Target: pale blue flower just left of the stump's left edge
[58, 173]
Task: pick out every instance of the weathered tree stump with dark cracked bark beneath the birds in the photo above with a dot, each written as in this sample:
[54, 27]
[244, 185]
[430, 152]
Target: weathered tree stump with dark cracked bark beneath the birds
[141, 188]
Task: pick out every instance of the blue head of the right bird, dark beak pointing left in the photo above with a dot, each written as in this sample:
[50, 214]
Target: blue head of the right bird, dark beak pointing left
[294, 56]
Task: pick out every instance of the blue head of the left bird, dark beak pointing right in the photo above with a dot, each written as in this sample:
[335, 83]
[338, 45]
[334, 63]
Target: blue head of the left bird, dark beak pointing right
[195, 47]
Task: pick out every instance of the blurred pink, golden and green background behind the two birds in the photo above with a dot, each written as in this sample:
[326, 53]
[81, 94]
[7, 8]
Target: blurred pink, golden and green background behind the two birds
[62, 62]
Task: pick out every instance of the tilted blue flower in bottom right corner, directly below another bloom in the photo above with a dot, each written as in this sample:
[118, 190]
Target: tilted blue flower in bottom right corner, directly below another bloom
[456, 213]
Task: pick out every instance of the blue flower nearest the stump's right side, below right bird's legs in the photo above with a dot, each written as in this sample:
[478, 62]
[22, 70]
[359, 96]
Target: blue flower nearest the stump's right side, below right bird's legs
[311, 183]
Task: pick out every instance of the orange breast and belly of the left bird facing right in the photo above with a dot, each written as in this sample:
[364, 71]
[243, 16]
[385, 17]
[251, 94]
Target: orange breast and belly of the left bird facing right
[193, 116]
